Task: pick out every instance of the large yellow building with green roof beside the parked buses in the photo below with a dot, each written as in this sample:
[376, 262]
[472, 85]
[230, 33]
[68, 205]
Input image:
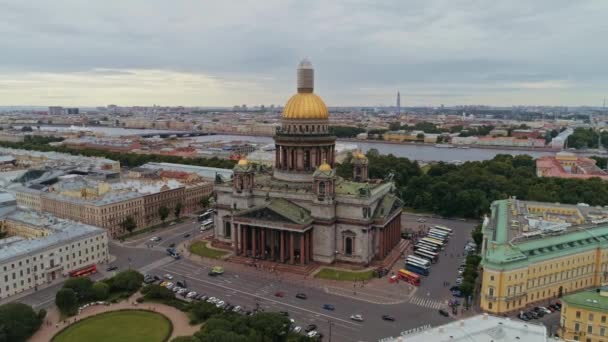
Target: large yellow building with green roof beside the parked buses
[536, 252]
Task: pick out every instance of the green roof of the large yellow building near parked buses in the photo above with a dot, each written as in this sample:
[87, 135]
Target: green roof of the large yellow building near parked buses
[518, 232]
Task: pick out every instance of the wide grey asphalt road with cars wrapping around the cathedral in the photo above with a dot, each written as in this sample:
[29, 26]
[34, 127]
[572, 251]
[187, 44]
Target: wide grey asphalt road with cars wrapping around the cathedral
[250, 287]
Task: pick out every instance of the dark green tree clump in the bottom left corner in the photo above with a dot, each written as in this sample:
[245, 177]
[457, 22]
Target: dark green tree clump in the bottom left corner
[18, 322]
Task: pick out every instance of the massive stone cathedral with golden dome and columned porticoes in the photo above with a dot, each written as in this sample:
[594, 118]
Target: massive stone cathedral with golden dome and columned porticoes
[300, 211]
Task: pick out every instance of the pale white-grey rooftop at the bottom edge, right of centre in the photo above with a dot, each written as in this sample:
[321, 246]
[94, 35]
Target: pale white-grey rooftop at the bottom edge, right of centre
[480, 328]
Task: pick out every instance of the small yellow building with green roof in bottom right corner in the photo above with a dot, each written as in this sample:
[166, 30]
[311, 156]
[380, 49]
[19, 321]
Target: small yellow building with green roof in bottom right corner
[584, 316]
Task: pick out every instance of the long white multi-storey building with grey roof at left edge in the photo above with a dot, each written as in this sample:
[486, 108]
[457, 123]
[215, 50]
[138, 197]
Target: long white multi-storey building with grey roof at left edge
[40, 248]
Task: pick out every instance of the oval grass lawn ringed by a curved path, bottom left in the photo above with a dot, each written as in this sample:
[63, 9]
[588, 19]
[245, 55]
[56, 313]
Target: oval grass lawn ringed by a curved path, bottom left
[118, 326]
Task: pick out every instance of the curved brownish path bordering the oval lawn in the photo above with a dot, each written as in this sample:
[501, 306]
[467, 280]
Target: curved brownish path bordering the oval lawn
[52, 325]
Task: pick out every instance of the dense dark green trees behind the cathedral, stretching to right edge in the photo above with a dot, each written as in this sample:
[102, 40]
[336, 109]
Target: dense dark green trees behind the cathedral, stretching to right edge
[467, 190]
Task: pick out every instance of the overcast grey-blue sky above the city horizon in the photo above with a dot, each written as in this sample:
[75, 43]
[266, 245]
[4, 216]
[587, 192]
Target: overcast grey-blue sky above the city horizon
[222, 53]
